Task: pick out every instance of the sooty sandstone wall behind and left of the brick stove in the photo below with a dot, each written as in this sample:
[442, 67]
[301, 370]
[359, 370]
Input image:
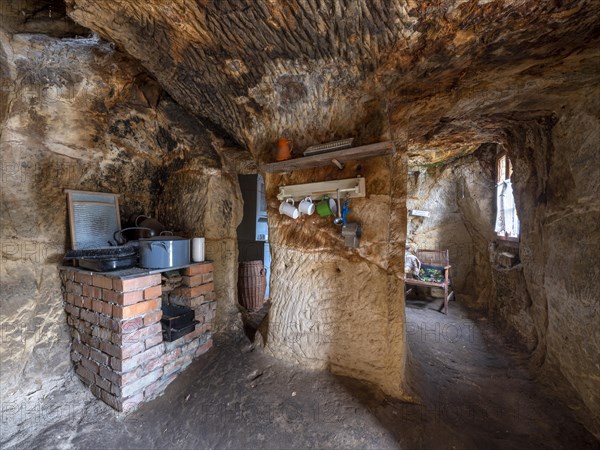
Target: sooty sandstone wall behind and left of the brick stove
[77, 114]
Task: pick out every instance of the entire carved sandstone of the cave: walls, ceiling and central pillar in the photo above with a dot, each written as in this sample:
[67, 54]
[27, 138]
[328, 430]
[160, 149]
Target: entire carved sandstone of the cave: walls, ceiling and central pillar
[167, 102]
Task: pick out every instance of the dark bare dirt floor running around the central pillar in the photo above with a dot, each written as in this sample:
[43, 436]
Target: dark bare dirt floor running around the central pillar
[475, 390]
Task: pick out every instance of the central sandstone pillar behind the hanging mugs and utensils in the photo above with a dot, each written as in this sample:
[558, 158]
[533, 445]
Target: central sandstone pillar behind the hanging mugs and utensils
[340, 308]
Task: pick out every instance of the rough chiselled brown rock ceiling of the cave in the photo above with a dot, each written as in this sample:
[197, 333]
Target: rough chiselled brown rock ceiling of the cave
[315, 70]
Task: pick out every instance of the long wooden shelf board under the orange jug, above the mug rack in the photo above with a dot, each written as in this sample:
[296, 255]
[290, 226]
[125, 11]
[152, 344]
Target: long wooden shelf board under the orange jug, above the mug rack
[323, 159]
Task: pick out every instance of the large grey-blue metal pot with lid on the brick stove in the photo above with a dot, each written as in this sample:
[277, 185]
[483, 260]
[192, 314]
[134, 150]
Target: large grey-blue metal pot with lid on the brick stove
[163, 252]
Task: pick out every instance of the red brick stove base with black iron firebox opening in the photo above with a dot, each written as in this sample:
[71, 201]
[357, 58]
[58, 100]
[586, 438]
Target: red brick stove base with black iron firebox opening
[117, 341]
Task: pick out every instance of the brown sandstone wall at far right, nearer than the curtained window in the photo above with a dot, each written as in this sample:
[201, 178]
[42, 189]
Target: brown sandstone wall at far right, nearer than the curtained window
[557, 168]
